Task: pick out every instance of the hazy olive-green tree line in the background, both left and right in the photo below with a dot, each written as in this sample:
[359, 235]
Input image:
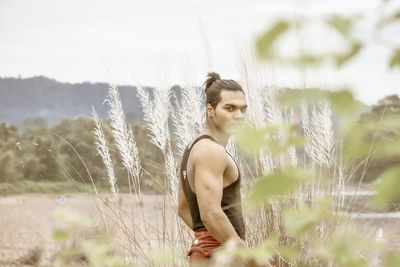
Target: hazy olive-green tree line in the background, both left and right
[66, 151]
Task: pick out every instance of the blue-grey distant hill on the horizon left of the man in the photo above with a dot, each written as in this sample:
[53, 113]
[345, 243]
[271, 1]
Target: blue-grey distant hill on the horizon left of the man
[47, 98]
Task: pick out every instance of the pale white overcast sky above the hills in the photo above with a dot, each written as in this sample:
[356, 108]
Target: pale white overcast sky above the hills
[162, 43]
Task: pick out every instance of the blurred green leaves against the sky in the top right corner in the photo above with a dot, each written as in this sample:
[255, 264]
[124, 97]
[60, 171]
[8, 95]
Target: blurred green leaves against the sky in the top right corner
[344, 24]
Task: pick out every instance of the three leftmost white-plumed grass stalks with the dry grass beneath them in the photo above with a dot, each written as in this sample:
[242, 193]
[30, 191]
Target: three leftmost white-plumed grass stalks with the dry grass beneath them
[140, 234]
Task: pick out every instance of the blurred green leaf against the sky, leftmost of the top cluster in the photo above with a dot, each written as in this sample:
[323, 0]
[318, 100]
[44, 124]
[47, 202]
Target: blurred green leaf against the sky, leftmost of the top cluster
[265, 42]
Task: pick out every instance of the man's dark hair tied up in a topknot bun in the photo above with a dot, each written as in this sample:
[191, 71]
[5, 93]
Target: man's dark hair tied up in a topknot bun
[214, 85]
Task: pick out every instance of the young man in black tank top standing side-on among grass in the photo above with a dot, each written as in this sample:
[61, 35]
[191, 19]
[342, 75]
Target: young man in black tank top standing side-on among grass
[209, 190]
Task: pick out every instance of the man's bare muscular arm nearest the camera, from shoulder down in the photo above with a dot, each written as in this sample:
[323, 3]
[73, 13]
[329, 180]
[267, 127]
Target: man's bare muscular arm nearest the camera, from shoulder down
[209, 169]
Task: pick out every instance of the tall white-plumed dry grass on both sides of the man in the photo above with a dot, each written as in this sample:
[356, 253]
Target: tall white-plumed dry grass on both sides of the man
[139, 234]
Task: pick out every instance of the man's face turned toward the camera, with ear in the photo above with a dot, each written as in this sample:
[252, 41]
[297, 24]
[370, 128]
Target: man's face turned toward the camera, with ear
[230, 111]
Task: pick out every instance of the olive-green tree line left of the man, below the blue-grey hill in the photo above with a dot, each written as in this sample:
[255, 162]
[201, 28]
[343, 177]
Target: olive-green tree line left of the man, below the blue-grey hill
[67, 151]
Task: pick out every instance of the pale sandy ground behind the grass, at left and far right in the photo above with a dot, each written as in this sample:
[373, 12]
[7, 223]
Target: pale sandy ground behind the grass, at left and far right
[26, 223]
